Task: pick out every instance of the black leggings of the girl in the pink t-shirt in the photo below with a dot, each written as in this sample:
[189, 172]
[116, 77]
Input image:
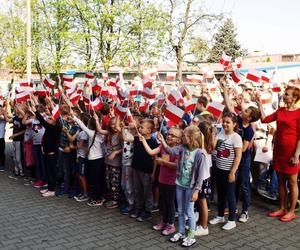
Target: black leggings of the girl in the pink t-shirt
[167, 202]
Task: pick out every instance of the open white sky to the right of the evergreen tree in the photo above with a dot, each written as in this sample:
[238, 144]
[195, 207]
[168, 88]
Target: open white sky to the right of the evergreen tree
[271, 26]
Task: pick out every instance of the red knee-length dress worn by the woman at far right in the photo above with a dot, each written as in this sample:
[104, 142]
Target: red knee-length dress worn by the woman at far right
[286, 138]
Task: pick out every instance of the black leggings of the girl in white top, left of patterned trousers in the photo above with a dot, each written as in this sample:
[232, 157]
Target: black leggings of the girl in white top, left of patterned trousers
[96, 178]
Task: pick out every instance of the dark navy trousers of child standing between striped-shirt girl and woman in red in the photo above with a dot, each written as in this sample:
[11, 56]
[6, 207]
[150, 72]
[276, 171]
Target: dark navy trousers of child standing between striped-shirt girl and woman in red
[243, 183]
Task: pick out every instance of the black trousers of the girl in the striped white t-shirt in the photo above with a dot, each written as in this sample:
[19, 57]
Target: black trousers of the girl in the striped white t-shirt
[226, 192]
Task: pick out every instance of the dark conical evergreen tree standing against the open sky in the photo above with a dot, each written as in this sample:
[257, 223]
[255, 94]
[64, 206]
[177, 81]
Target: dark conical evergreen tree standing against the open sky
[225, 41]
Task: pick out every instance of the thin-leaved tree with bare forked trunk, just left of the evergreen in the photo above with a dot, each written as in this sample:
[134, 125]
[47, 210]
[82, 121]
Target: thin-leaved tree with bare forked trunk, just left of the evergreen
[184, 17]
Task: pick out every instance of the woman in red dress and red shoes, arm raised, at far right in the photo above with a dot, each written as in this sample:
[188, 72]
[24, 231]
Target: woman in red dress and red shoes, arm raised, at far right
[286, 151]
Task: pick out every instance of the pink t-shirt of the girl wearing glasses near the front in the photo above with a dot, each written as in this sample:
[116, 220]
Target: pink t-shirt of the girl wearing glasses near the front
[166, 174]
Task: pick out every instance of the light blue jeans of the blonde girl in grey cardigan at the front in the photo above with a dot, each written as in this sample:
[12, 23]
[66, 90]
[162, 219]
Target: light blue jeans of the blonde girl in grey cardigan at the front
[185, 207]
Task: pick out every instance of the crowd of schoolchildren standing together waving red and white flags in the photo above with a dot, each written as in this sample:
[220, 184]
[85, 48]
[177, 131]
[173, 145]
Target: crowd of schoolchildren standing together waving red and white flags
[101, 158]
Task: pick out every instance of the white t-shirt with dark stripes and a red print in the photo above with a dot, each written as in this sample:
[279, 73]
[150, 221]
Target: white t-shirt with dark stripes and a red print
[225, 150]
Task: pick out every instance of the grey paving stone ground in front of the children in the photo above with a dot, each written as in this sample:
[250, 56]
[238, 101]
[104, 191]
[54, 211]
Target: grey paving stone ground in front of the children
[29, 221]
